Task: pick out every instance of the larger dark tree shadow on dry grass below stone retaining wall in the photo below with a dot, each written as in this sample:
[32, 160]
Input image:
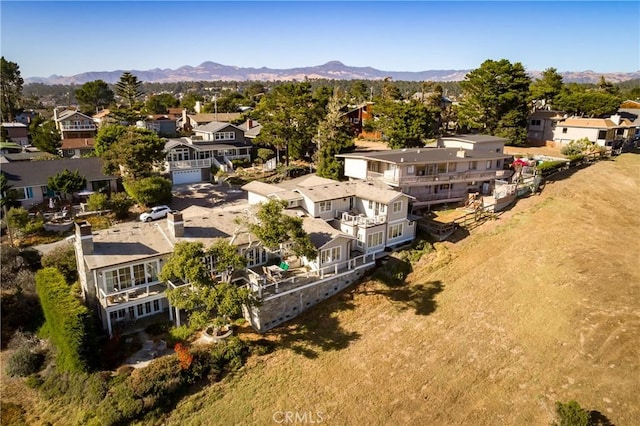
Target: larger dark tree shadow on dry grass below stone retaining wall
[318, 329]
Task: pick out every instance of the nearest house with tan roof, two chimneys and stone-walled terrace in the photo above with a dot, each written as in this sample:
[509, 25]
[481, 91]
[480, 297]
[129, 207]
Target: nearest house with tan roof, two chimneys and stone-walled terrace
[119, 267]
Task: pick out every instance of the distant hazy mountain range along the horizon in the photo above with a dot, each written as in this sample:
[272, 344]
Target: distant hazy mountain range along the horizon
[211, 71]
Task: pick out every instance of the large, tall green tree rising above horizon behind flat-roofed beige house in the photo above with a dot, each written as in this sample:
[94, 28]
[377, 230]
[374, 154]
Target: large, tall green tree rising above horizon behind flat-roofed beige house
[495, 100]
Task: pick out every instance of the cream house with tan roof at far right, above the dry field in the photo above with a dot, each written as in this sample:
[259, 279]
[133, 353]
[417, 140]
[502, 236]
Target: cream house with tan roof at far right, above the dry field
[605, 132]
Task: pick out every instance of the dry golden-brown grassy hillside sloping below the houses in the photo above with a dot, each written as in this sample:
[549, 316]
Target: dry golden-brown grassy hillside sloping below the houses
[541, 305]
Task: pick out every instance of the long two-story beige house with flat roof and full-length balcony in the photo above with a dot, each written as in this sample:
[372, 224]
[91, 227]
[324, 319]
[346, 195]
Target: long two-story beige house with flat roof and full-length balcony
[448, 173]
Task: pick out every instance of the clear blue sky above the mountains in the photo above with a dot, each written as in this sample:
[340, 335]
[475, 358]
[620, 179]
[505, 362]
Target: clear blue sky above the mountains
[72, 37]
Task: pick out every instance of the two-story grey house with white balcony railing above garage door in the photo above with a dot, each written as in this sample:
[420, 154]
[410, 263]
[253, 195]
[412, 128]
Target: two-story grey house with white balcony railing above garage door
[190, 159]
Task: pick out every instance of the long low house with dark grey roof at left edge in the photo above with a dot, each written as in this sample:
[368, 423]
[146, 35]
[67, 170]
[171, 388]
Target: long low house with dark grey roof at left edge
[28, 179]
